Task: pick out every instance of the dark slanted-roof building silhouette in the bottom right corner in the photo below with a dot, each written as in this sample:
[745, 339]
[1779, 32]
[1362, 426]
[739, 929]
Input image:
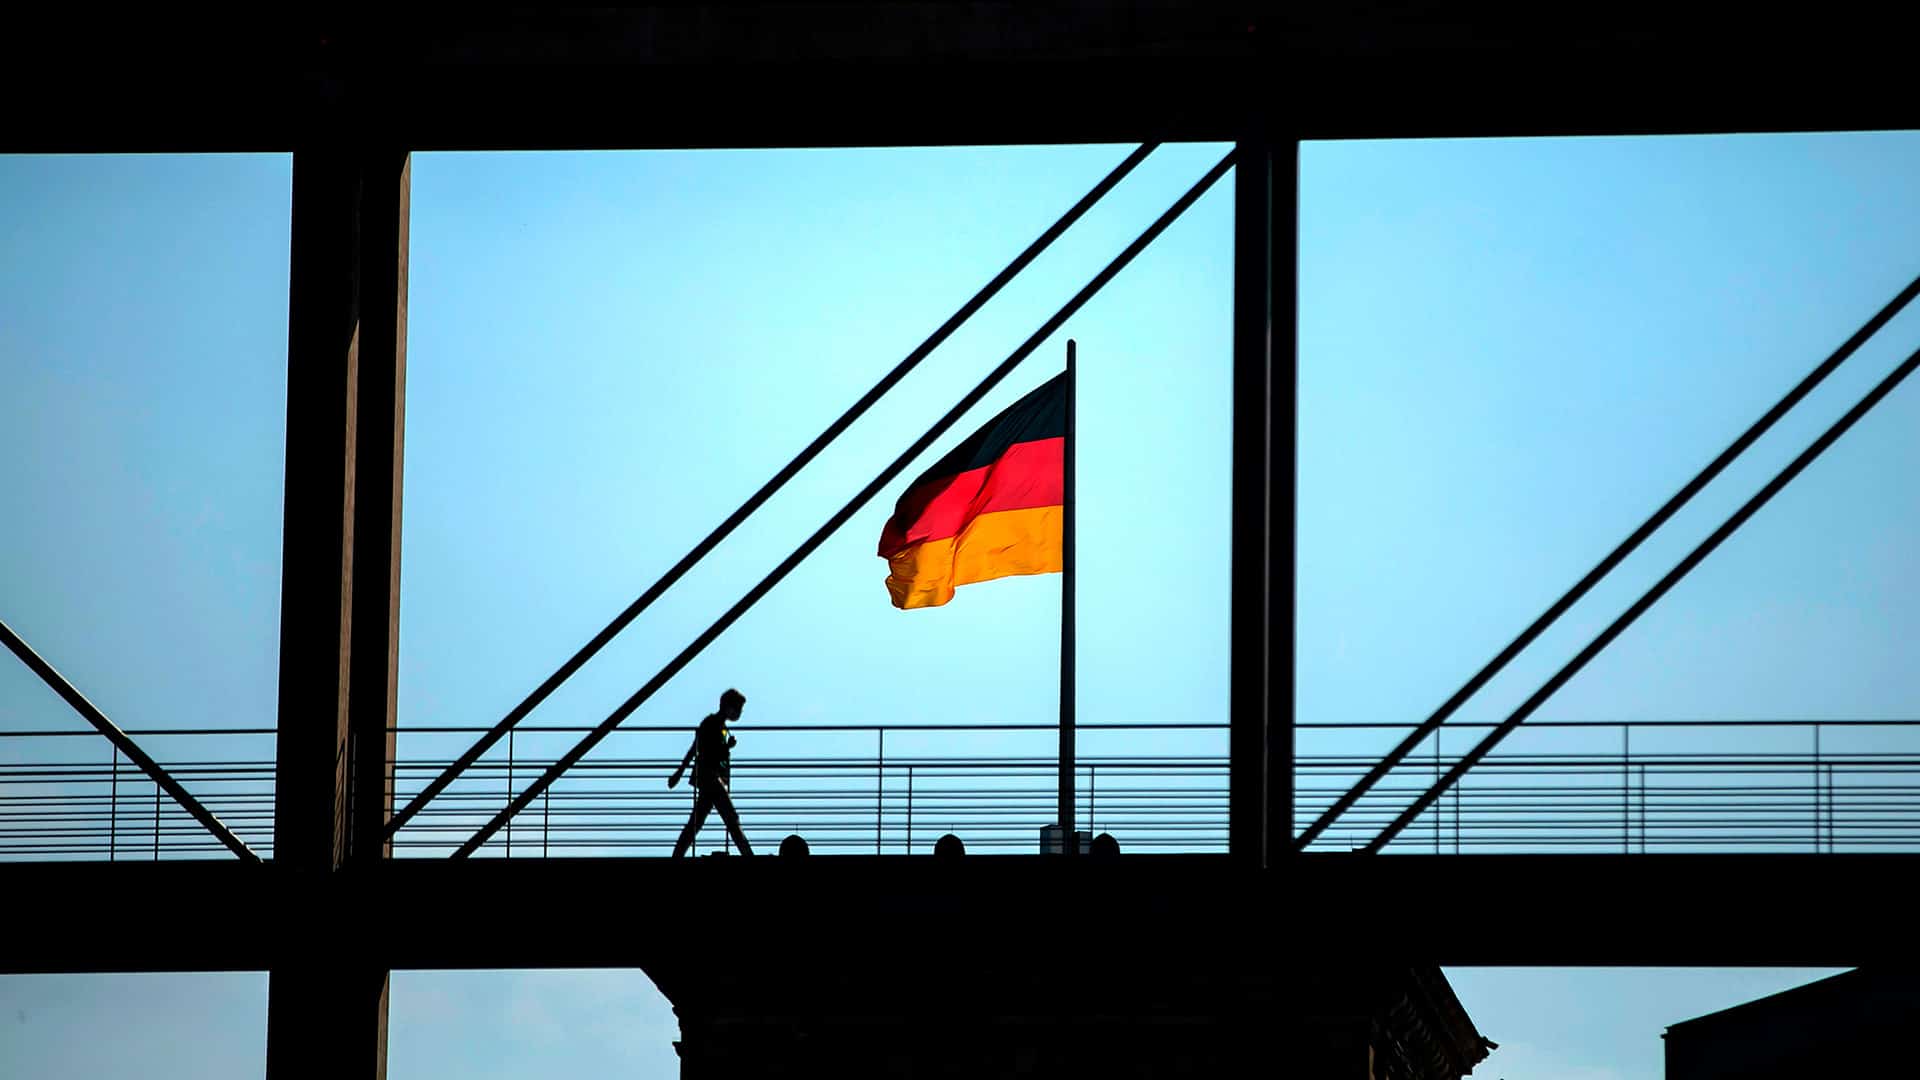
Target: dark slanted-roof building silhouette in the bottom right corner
[1850, 1025]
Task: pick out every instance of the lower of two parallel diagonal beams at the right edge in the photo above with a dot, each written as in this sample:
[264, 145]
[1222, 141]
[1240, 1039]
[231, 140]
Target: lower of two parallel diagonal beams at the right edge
[1652, 597]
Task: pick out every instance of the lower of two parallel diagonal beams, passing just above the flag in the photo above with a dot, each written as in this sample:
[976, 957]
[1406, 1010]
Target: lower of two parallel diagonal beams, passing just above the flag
[832, 526]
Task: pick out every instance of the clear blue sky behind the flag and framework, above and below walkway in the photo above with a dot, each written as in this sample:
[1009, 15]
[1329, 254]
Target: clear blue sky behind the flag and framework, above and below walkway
[1510, 355]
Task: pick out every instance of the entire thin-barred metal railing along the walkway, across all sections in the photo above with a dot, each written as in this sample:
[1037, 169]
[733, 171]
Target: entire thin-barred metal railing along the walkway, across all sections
[896, 789]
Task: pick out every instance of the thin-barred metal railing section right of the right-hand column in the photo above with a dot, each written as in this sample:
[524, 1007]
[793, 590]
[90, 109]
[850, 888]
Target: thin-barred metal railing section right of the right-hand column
[1639, 787]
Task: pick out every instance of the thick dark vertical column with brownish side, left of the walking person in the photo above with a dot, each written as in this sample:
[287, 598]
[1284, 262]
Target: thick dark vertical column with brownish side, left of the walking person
[339, 604]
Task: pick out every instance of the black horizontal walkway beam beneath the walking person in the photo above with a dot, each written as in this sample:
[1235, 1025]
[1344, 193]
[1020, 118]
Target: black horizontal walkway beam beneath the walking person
[1449, 910]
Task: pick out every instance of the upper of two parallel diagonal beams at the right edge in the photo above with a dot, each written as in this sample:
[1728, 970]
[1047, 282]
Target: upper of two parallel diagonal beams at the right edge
[1606, 566]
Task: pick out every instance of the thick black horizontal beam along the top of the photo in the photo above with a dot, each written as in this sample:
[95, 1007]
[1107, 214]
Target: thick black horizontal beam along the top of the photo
[944, 74]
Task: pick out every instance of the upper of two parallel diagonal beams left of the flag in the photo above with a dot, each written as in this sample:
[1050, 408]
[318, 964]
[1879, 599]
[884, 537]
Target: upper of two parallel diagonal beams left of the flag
[773, 487]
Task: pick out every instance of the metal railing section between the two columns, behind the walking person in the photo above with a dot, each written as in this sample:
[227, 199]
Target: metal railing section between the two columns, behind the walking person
[846, 789]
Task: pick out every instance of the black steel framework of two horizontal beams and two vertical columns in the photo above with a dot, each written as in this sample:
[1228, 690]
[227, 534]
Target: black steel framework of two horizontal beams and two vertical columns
[354, 93]
